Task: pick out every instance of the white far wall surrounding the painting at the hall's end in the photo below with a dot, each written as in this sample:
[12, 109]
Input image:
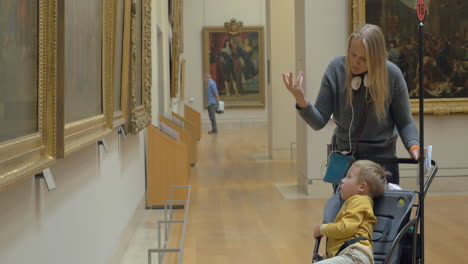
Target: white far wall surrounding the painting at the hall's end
[201, 13]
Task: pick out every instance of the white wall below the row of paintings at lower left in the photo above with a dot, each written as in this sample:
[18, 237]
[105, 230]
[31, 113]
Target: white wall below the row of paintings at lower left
[81, 221]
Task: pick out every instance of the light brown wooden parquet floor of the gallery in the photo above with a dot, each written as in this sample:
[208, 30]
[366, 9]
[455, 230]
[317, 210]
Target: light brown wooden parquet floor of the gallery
[237, 215]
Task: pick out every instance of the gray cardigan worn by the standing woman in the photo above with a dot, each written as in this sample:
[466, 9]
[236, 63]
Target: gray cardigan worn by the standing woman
[378, 138]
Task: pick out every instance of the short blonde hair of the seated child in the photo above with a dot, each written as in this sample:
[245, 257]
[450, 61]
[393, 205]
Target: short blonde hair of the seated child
[374, 175]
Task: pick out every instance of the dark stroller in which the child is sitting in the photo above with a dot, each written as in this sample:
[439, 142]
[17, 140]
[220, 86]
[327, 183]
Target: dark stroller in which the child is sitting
[395, 234]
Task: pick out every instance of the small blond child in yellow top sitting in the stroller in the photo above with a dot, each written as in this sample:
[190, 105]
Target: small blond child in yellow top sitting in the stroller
[350, 235]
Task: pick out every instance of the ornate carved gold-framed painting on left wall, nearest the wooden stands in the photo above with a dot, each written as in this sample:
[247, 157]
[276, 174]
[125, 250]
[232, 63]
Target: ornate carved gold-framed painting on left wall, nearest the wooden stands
[139, 62]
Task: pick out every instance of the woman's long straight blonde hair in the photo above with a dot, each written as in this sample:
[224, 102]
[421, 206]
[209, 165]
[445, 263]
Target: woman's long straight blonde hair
[377, 76]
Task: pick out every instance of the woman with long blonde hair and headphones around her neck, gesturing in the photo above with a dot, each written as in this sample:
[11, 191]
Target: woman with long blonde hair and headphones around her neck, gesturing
[368, 98]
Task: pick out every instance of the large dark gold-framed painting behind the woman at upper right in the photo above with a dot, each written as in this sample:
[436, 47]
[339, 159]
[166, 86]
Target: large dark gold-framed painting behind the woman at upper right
[445, 48]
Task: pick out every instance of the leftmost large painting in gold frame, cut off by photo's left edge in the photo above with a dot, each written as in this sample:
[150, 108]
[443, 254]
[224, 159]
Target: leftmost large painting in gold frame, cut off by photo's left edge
[27, 88]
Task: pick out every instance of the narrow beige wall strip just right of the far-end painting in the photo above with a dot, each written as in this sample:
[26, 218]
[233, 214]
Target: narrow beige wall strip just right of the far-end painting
[281, 53]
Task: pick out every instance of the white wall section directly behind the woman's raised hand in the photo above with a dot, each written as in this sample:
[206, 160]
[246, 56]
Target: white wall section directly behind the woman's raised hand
[320, 45]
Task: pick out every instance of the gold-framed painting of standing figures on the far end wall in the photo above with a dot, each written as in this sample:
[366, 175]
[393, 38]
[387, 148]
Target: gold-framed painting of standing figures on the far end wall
[234, 56]
